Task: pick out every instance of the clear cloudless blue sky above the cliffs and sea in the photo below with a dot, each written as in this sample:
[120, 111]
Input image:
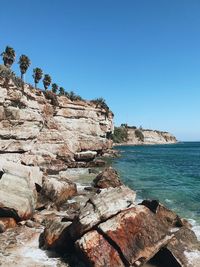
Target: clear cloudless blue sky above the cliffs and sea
[142, 56]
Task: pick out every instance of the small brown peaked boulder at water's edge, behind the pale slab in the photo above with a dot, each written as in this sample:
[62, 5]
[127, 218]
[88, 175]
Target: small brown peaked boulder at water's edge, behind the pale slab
[107, 178]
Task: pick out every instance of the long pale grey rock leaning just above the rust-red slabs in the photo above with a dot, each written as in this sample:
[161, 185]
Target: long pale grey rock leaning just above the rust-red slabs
[102, 206]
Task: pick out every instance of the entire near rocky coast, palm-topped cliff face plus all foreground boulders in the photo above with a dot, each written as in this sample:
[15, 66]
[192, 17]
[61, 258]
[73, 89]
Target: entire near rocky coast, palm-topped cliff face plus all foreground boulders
[59, 207]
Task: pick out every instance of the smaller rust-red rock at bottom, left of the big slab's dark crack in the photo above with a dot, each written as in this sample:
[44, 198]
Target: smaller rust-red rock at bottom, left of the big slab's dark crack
[97, 251]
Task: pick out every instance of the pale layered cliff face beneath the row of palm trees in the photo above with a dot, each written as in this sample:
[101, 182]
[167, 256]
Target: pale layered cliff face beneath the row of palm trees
[49, 131]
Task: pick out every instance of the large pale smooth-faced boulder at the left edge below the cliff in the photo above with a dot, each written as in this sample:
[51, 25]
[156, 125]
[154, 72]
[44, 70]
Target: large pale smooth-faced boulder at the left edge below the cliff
[18, 194]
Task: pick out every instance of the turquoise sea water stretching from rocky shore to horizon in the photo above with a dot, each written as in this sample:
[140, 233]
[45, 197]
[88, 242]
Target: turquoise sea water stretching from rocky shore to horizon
[170, 173]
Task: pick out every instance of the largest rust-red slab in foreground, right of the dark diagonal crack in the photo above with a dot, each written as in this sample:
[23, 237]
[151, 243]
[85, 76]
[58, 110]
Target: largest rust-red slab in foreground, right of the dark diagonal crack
[137, 233]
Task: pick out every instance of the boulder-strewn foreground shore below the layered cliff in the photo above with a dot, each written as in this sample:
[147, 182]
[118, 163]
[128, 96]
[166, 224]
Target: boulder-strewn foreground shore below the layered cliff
[97, 223]
